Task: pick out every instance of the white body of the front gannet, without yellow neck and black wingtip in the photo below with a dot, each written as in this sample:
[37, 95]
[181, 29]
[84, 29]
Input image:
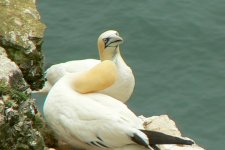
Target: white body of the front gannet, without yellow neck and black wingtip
[80, 119]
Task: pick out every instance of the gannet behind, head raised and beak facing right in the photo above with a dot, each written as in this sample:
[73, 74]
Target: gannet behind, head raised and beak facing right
[108, 47]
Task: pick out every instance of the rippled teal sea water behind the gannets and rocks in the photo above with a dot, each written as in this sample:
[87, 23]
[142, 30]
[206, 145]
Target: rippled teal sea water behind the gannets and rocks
[176, 50]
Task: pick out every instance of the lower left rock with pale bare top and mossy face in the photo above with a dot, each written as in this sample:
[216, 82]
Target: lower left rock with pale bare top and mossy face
[17, 109]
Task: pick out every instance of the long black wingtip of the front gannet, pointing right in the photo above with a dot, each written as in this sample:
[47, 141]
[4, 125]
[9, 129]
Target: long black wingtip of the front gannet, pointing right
[161, 138]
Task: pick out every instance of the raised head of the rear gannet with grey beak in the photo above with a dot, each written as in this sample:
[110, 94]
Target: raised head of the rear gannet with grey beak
[108, 44]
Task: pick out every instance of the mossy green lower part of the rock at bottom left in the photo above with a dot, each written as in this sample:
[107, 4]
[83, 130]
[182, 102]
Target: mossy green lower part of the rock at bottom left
[18, 113]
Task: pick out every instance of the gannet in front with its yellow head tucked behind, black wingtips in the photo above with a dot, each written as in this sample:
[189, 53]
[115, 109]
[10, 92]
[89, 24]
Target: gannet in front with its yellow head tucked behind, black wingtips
[94, 120]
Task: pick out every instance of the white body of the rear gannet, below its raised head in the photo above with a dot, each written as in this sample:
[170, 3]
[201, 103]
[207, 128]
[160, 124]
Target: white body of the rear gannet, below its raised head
[120, 90]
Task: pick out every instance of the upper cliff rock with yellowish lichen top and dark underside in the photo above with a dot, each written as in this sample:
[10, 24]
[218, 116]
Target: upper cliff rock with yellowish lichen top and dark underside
[21, 34]
